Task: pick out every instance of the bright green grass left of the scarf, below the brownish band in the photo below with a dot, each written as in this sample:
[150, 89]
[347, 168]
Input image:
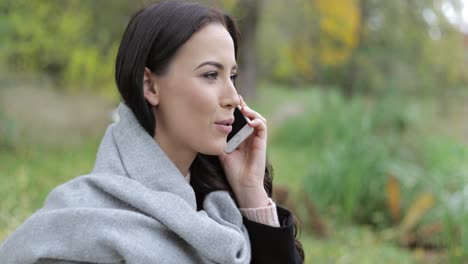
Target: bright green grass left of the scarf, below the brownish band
[29, 173]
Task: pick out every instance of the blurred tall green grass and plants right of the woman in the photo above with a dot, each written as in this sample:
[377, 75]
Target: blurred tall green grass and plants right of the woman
[341, 154]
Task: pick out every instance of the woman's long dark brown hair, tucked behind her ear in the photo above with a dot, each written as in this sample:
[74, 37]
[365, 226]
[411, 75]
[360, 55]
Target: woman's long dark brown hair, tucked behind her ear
[151, 39]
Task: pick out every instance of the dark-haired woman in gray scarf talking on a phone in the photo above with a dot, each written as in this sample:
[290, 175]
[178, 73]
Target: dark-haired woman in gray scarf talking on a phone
[162, 189]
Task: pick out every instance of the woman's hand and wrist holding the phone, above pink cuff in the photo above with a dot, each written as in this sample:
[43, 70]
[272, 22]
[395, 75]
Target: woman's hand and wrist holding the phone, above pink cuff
[245, 166]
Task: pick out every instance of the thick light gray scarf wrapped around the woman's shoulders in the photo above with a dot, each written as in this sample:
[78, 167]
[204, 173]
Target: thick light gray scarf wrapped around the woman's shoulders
[135, 207]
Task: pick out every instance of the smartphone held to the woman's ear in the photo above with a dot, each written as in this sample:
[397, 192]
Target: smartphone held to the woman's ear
[240, 131]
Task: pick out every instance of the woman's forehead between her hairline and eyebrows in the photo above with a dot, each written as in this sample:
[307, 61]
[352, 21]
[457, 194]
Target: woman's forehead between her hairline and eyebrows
[211, 42]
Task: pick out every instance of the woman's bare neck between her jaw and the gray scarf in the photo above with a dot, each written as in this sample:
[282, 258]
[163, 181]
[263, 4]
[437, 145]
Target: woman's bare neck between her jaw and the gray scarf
[180, 156]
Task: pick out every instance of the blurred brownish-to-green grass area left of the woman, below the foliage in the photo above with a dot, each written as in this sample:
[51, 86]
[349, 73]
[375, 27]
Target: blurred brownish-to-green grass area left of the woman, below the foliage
[46, 138]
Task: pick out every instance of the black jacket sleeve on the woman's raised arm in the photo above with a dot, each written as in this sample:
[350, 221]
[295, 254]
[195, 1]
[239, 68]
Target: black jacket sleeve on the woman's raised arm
[273, 244]
